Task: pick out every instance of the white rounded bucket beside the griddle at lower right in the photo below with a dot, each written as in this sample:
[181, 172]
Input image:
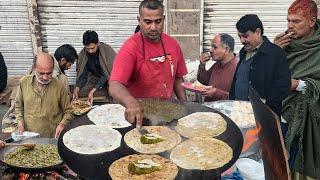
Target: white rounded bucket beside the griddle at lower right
[250, 169]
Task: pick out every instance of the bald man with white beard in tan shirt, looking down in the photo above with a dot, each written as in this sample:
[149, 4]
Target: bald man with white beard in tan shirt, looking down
[42, 102]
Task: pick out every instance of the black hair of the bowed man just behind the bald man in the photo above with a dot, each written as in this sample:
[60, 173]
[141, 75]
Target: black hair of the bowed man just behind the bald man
[66, 51]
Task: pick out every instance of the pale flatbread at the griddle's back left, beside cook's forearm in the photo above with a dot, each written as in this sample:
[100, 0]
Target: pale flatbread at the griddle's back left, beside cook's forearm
[111, 115]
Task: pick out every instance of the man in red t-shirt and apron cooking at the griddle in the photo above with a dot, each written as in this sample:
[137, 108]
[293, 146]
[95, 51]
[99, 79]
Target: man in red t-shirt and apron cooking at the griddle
[150, 64]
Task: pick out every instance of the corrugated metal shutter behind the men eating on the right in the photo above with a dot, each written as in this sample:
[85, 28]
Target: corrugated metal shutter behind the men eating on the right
[220, 16]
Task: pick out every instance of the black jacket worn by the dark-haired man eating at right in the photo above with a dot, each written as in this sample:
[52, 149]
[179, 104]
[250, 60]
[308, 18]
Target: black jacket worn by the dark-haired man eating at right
[269, 75]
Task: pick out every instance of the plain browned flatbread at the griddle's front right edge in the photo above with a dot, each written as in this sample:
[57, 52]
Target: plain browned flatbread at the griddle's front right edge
[201, 153]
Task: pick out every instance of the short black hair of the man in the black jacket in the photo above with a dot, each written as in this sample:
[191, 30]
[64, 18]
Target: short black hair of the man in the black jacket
[249, 22]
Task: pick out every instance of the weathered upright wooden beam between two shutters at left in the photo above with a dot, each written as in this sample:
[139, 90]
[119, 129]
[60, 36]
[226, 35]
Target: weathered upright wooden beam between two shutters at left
[35, 28]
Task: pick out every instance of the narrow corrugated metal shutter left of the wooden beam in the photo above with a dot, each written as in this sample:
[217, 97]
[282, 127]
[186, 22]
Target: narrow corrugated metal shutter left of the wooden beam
[15, 39]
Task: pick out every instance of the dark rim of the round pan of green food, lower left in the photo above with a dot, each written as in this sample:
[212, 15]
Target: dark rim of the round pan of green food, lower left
[36, 140]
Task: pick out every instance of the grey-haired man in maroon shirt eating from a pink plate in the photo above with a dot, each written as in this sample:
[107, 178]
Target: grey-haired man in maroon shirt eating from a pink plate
[220, 75]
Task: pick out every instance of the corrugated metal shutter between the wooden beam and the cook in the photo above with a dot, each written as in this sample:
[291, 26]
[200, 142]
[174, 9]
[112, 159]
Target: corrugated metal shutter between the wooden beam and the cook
[65, 21]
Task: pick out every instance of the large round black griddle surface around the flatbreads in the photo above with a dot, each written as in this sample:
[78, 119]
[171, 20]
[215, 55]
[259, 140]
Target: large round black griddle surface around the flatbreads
[96, 166]
